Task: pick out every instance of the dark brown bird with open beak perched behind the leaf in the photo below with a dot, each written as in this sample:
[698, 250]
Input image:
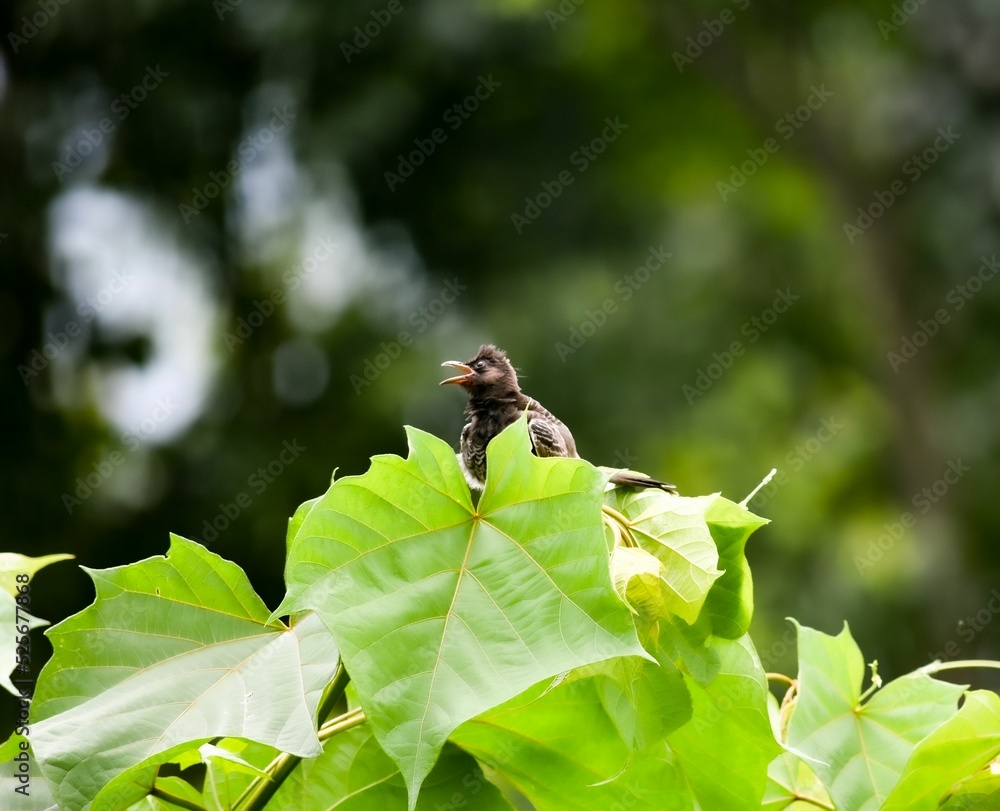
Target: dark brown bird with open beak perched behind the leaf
[496, 401]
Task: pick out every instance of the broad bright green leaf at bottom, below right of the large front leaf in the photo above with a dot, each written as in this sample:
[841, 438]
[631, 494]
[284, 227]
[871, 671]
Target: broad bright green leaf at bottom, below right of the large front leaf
[563, 750]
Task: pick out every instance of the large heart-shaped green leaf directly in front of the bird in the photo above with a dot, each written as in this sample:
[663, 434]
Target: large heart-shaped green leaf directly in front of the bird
[443, 609]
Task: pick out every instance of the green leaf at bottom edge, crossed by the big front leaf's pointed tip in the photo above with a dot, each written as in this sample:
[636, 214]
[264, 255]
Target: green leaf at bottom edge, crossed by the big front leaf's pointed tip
[354, 774]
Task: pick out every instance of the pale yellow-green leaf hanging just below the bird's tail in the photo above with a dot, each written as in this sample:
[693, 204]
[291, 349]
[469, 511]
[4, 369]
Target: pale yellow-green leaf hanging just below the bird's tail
[673, 530]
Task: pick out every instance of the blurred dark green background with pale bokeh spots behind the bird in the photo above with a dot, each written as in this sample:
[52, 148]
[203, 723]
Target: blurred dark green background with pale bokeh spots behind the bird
[237, 239]
